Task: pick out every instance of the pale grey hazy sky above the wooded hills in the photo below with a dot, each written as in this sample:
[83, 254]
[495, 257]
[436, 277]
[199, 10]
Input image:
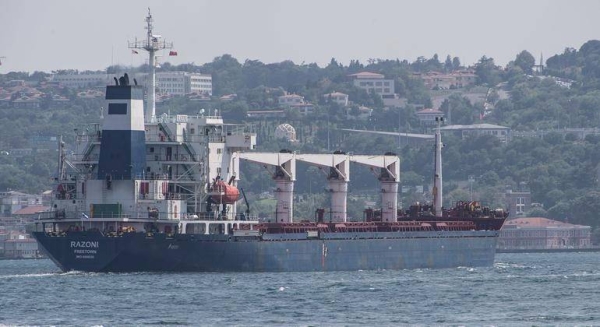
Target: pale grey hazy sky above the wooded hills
[46, 35]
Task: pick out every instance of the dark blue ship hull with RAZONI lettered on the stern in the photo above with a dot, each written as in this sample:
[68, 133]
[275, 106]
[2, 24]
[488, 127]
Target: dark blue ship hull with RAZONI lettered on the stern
[131, 252]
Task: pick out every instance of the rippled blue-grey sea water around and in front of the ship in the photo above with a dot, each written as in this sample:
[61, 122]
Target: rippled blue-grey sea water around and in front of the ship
[520, 289]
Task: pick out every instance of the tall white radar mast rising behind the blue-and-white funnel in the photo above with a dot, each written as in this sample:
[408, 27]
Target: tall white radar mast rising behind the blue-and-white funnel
[152, 45]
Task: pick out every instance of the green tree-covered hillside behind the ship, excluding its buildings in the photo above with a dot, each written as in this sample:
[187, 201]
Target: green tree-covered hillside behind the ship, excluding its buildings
[561, 170]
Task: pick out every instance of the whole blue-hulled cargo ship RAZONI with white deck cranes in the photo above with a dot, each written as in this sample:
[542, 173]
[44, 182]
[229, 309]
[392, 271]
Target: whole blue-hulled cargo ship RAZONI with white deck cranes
[142, 192]
